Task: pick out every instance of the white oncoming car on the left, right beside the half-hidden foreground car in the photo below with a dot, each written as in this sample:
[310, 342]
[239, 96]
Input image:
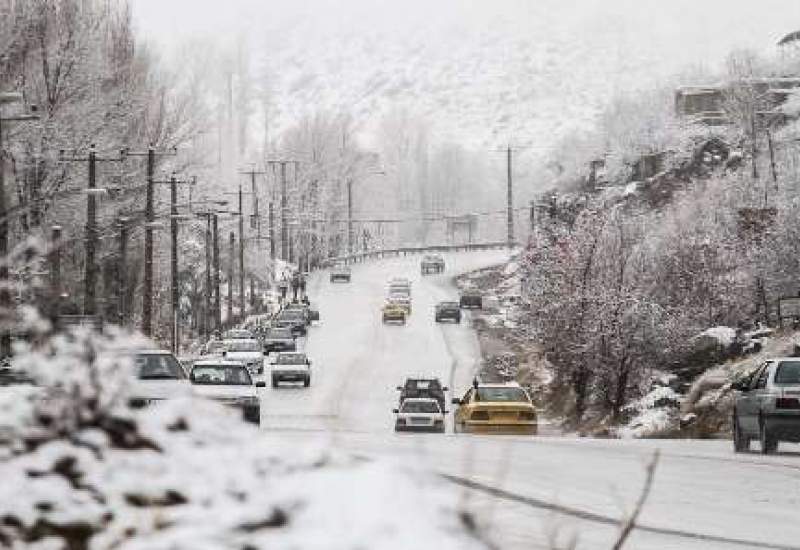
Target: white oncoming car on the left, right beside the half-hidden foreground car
[228, 382]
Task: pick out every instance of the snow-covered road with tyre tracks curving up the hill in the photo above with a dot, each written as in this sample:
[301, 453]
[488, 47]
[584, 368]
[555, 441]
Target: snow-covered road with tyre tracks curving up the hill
[704, 496]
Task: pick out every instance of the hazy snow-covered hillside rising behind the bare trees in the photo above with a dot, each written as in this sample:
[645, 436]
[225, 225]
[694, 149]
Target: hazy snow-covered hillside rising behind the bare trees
[487, 74]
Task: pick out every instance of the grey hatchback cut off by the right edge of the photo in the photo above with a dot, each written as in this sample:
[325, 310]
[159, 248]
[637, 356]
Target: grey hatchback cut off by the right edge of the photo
[767, 405]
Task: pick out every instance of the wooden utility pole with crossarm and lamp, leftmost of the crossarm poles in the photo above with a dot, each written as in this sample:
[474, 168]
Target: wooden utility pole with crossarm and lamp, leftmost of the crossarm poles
[90, 267]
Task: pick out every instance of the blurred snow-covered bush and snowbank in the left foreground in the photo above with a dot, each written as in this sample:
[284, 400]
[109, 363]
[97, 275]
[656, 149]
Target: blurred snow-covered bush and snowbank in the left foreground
[81, 470]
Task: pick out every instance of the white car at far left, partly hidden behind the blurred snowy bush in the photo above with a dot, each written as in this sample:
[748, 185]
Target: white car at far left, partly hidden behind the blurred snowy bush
[159, 376]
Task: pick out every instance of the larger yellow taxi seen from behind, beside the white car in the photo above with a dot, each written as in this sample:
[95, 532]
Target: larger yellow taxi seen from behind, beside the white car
[495, 408]
